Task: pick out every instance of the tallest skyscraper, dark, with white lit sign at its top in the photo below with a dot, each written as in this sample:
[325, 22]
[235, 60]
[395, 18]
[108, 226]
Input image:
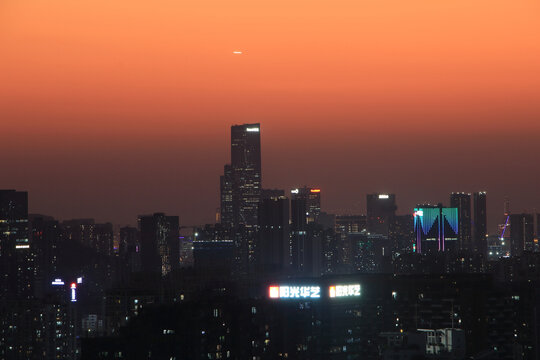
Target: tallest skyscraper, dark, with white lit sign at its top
[246, 173]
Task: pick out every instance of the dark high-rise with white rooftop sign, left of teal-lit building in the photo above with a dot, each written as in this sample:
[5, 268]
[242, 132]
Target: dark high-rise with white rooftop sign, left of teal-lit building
[381, 209]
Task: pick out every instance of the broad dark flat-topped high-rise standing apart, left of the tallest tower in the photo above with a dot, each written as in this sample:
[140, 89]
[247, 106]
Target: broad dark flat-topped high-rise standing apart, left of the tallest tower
[160, 247]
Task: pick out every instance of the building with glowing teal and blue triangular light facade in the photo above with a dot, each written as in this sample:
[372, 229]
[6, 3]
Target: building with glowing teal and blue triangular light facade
[436, 228]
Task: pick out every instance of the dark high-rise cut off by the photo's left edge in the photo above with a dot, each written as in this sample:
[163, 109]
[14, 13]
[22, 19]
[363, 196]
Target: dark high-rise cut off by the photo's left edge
[16, 259]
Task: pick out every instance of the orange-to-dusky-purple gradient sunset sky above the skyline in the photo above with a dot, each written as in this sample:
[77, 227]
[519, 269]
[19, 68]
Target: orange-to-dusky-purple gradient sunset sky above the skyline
[113, 108]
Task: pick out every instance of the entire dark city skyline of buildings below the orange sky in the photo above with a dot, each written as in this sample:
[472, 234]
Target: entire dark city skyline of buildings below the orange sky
[276, 278]
